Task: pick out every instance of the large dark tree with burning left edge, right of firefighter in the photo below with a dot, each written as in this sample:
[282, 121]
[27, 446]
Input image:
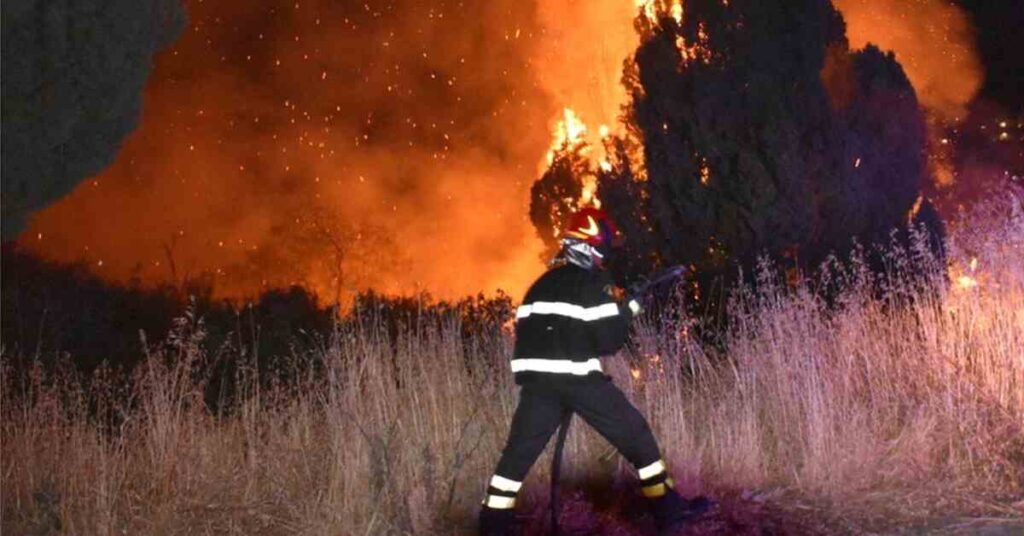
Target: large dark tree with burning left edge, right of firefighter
[762, 134]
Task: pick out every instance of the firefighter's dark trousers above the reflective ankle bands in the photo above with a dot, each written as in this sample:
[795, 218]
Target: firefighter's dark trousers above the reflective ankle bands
[600, 403]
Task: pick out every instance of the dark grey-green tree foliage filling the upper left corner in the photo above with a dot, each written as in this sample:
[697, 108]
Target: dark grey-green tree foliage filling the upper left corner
[73, 77]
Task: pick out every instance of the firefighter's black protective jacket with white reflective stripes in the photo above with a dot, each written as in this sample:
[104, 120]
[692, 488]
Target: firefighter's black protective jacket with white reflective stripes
[569, 319]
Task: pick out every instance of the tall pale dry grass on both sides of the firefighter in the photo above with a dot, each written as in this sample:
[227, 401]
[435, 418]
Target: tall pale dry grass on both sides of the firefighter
[918, 393]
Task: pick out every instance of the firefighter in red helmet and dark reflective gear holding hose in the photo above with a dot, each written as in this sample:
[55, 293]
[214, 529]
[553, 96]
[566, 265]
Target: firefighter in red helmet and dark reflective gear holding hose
[569, 319]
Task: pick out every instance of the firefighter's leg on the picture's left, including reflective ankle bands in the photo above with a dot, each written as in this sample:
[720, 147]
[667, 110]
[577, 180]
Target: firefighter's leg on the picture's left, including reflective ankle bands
[536, 419]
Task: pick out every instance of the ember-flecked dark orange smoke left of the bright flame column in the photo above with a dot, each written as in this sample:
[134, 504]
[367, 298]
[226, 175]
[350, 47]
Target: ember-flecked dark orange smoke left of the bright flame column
[340, 146]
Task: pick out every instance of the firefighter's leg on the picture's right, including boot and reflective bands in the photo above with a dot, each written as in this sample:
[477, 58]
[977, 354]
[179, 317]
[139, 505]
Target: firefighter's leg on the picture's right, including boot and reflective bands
[606, 408]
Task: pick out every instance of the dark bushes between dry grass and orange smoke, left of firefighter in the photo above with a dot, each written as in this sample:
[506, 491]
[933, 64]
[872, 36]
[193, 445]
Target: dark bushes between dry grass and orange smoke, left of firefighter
[59, 314]
